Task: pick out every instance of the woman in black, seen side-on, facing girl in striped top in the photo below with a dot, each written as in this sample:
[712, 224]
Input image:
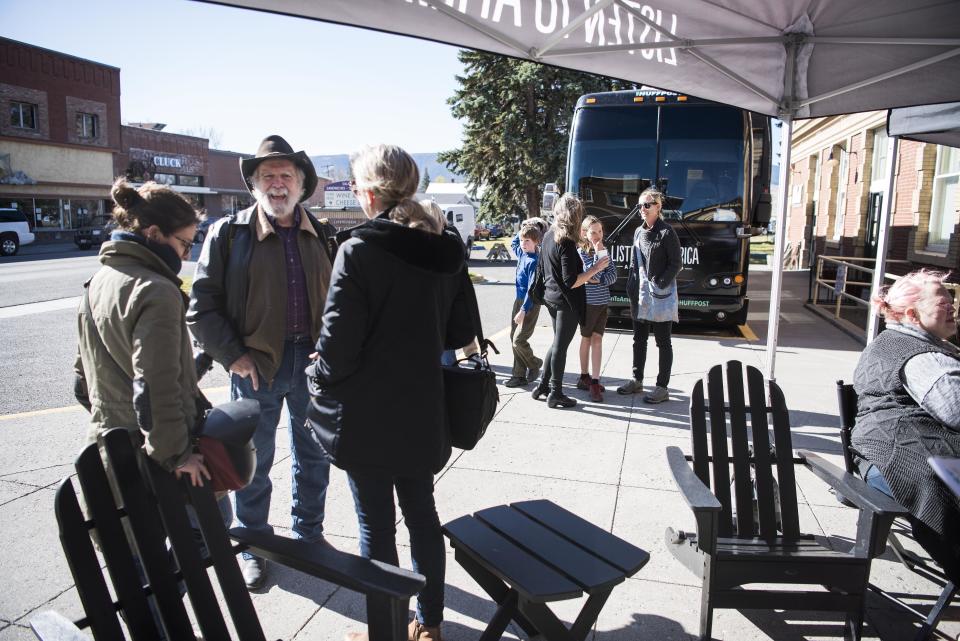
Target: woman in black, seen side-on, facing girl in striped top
[564, 296]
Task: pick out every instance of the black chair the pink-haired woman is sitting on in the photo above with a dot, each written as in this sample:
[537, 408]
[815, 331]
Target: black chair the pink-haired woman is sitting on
[926, 568]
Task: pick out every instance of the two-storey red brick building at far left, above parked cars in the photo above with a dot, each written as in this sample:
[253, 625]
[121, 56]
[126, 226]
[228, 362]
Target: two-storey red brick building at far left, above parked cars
[59, 131]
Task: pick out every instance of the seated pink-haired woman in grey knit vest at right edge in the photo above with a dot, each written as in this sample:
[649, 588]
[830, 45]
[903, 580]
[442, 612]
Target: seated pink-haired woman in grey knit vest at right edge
[908, 384]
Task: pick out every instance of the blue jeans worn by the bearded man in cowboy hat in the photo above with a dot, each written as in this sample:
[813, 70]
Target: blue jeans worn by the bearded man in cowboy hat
[309, 466]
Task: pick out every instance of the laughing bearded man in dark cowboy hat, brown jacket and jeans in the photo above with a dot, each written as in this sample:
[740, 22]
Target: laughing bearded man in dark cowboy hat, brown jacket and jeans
[256, 308]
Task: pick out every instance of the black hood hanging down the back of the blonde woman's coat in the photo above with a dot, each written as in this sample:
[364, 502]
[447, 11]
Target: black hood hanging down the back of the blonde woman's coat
[441, 253]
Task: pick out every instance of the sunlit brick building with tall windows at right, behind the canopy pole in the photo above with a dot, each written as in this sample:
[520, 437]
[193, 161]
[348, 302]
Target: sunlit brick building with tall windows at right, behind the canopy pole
[838, 184]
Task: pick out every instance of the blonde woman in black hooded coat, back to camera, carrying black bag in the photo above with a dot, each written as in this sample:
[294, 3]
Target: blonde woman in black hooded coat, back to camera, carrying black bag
[395, 303]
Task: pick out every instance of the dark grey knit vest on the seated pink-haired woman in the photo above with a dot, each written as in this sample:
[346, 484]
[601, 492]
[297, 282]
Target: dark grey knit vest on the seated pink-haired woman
[897, 435]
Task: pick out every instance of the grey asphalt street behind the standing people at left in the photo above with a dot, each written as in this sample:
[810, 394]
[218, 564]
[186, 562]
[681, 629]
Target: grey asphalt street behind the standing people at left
[39, 294]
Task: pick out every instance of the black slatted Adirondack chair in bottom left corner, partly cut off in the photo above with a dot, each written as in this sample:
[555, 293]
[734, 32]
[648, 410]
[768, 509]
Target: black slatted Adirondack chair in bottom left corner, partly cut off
[136, 505]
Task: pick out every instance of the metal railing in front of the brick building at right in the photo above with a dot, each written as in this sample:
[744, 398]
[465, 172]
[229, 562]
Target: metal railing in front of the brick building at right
[840, 291]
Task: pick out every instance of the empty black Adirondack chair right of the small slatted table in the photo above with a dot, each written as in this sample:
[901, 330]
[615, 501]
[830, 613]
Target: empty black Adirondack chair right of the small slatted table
[750, 533]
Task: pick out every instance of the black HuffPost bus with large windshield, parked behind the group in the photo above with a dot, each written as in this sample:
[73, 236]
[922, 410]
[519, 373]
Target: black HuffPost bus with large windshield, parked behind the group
[713, 164]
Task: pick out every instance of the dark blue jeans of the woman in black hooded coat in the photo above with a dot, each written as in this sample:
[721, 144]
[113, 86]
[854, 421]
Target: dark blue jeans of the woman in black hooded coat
[373, 499]
